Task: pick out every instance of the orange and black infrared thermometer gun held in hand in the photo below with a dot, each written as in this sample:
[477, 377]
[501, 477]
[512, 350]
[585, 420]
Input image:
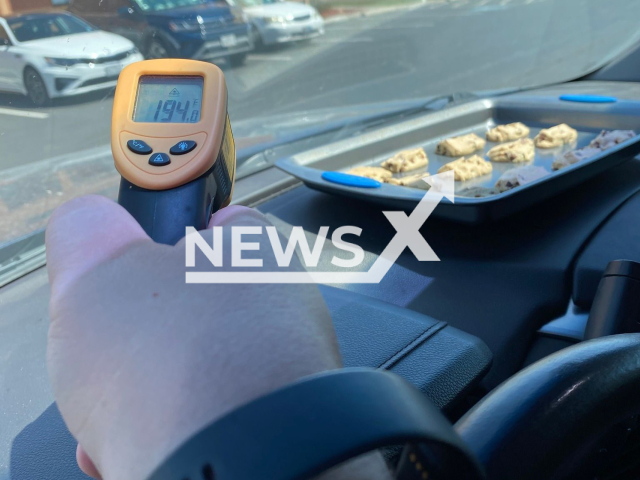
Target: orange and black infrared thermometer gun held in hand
[172, 144]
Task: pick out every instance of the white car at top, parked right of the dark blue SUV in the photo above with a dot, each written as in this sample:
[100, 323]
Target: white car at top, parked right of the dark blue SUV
[279, 22]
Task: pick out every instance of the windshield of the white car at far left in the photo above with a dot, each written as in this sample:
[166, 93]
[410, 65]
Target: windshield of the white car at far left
[43, 26]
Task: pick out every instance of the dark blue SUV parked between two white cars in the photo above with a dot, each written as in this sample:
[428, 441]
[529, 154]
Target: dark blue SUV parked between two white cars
[199, 29]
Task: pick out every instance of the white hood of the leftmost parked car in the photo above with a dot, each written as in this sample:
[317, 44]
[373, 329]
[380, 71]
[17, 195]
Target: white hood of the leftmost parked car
[81, 45]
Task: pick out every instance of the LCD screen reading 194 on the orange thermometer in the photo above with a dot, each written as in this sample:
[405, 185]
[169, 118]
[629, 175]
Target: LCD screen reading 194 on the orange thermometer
[168, 99]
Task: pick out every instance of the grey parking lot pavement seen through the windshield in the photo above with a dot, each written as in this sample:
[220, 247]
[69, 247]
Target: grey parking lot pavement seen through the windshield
[427, 49]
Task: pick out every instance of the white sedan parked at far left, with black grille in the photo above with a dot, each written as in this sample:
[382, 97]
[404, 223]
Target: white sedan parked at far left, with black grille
[38, 60]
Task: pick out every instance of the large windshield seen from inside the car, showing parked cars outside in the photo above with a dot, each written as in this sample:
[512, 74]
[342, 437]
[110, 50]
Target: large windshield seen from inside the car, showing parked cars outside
[312, 68]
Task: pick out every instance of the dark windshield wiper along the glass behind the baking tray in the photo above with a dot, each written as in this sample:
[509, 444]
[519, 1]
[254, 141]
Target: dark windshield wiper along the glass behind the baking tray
[431, 104]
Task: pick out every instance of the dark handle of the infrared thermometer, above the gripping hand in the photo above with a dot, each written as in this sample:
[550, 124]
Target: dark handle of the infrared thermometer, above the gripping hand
[165, 214]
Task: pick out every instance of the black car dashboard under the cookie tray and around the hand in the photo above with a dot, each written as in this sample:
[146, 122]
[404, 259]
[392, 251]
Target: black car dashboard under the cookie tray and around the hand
[504, 294]
